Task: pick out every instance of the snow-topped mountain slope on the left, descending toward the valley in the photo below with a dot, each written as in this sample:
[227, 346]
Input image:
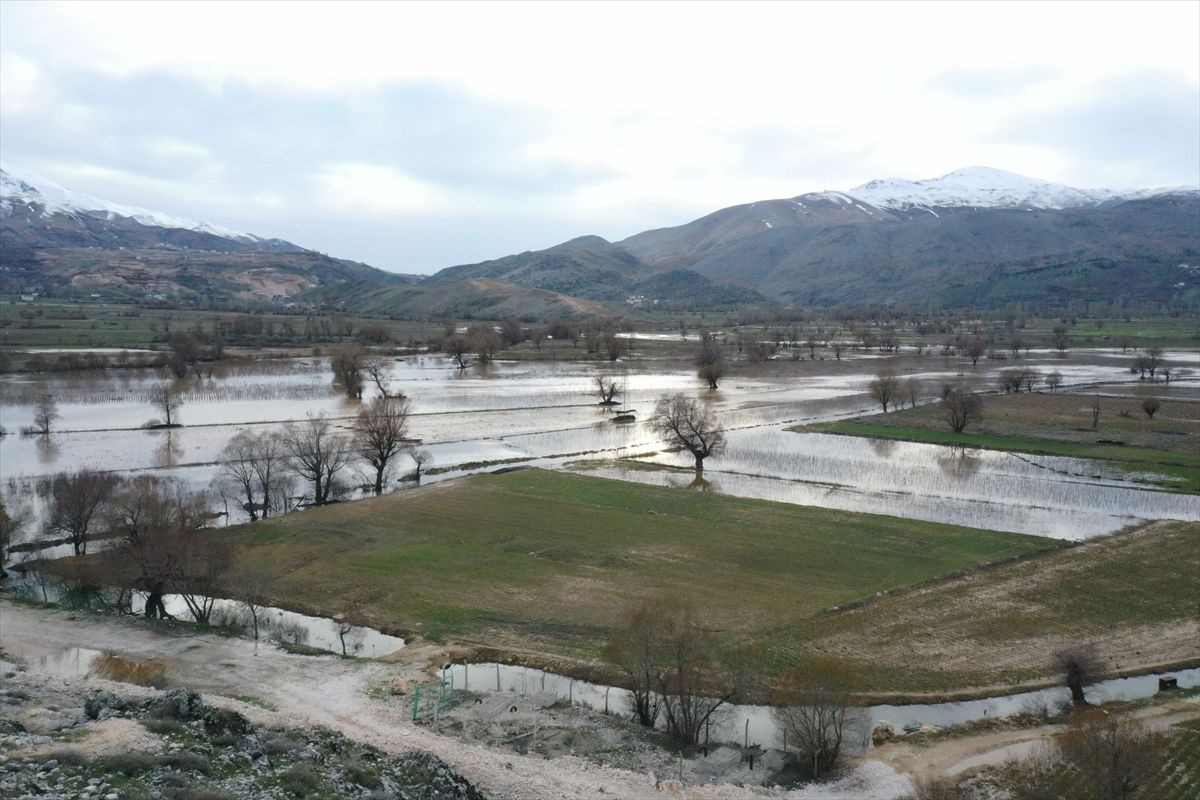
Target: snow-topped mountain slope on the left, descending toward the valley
[69, 244]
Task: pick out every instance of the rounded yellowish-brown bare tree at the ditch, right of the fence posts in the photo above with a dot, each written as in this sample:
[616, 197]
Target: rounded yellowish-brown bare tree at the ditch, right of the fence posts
[817, 709]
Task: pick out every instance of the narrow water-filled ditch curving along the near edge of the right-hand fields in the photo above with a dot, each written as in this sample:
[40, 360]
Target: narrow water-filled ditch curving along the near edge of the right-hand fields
[757, 724]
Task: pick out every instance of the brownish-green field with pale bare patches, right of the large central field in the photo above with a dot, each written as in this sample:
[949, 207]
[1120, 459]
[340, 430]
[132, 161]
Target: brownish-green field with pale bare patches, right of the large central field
[1136, 597]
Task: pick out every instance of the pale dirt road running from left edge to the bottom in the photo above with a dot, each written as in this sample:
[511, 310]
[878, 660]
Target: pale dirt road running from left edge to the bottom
[345, 695]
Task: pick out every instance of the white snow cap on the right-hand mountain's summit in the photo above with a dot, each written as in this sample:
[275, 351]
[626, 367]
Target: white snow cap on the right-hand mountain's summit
[985, 188]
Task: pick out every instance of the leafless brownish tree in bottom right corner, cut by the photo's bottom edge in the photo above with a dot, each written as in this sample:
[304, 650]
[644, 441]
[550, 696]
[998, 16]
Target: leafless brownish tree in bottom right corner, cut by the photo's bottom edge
[1113, 756]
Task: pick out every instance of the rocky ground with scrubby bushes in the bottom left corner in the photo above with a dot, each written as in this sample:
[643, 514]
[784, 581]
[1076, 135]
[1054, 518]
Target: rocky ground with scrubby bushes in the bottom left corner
[62, 741]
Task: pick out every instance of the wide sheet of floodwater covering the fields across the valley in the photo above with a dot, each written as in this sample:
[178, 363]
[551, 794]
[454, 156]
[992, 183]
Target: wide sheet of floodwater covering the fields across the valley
[547, 416]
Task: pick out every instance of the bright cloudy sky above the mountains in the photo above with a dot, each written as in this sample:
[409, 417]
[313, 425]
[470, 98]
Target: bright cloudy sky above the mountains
[416, 137]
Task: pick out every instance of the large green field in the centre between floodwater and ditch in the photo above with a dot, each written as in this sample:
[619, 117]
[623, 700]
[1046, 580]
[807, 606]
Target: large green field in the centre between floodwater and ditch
[545, 563]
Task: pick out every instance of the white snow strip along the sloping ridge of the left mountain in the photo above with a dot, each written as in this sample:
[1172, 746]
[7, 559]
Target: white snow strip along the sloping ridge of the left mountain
[21, 185]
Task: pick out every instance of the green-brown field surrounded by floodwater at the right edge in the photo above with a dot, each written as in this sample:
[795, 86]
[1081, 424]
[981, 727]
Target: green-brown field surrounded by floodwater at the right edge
[1161, 453]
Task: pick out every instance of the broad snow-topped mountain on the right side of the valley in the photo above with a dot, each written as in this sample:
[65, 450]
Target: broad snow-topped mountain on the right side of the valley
[973, 238]
